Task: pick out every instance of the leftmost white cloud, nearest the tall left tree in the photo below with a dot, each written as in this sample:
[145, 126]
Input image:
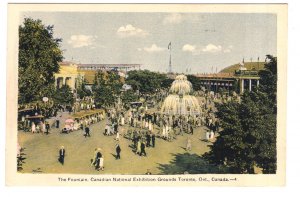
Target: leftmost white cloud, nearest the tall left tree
[78, 41]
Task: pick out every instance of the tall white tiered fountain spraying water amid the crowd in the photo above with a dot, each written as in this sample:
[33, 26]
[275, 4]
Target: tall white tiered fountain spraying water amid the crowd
[179, 101]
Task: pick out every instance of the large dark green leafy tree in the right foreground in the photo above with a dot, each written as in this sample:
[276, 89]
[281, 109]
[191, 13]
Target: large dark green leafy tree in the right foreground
[248, 138]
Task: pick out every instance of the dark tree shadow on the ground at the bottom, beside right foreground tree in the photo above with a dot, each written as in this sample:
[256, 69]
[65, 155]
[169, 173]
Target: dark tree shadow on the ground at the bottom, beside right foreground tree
[191, 164]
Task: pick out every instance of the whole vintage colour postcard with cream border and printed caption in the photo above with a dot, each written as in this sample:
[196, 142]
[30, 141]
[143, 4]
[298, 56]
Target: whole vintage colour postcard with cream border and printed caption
[146, 94]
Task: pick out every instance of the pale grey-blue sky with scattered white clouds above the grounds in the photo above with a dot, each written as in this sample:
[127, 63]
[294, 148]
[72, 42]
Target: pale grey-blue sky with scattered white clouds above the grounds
[200, 42]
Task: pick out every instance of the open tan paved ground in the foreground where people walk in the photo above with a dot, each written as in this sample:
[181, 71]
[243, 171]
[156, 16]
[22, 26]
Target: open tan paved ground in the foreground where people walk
[42, 152]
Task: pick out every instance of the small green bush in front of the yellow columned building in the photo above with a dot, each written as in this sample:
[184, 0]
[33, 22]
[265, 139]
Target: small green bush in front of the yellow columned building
[64, 95]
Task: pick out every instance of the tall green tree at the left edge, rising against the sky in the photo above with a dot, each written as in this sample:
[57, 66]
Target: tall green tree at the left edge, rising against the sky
[39, 54]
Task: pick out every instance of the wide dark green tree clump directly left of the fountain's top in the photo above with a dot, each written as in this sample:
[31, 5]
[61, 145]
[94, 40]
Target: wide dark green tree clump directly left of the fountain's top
[146, 81]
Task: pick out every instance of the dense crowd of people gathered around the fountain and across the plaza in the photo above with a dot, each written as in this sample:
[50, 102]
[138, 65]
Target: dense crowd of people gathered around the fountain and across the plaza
[142, 125]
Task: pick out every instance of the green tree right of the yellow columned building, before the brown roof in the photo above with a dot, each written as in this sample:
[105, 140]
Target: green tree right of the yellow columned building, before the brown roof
[106, 88]
